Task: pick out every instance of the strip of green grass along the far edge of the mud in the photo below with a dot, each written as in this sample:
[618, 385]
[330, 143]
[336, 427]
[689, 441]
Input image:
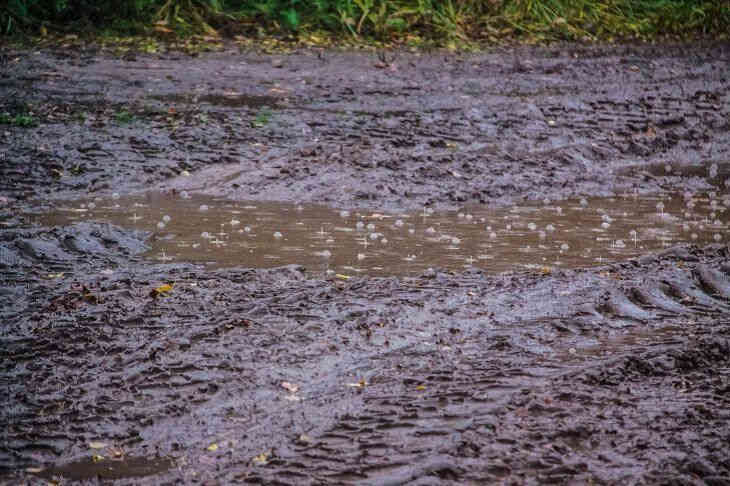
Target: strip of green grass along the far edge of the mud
[444, 22]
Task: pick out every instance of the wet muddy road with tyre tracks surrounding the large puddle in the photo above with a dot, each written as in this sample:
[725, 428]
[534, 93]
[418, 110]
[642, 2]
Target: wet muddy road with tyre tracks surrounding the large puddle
[122, 367]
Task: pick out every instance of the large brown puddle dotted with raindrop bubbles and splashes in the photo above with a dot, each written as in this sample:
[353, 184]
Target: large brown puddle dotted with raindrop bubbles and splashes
[573, 233]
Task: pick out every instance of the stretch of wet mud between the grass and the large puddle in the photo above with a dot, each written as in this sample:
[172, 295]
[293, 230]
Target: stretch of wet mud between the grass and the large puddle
[346, 129]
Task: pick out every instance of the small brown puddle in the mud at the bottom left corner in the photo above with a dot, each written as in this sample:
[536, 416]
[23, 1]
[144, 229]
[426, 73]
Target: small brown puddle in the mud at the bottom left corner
[108, 469]
